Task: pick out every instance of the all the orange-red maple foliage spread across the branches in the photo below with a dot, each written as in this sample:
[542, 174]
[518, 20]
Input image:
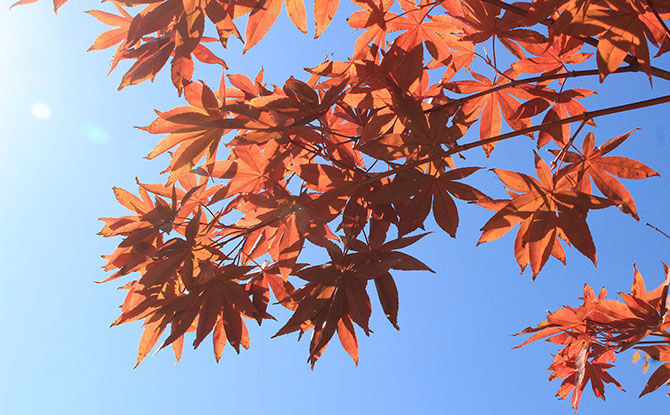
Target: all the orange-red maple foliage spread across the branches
[355, 159]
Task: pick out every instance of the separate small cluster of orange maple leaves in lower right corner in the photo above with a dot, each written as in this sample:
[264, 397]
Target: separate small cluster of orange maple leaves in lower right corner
[598, 328]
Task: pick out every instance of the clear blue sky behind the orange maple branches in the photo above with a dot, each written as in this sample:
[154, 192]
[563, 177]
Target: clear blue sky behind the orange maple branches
[66, 138]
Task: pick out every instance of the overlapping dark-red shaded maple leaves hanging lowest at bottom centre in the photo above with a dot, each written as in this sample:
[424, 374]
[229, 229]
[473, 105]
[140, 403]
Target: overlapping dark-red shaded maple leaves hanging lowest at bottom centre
[335, 296]
